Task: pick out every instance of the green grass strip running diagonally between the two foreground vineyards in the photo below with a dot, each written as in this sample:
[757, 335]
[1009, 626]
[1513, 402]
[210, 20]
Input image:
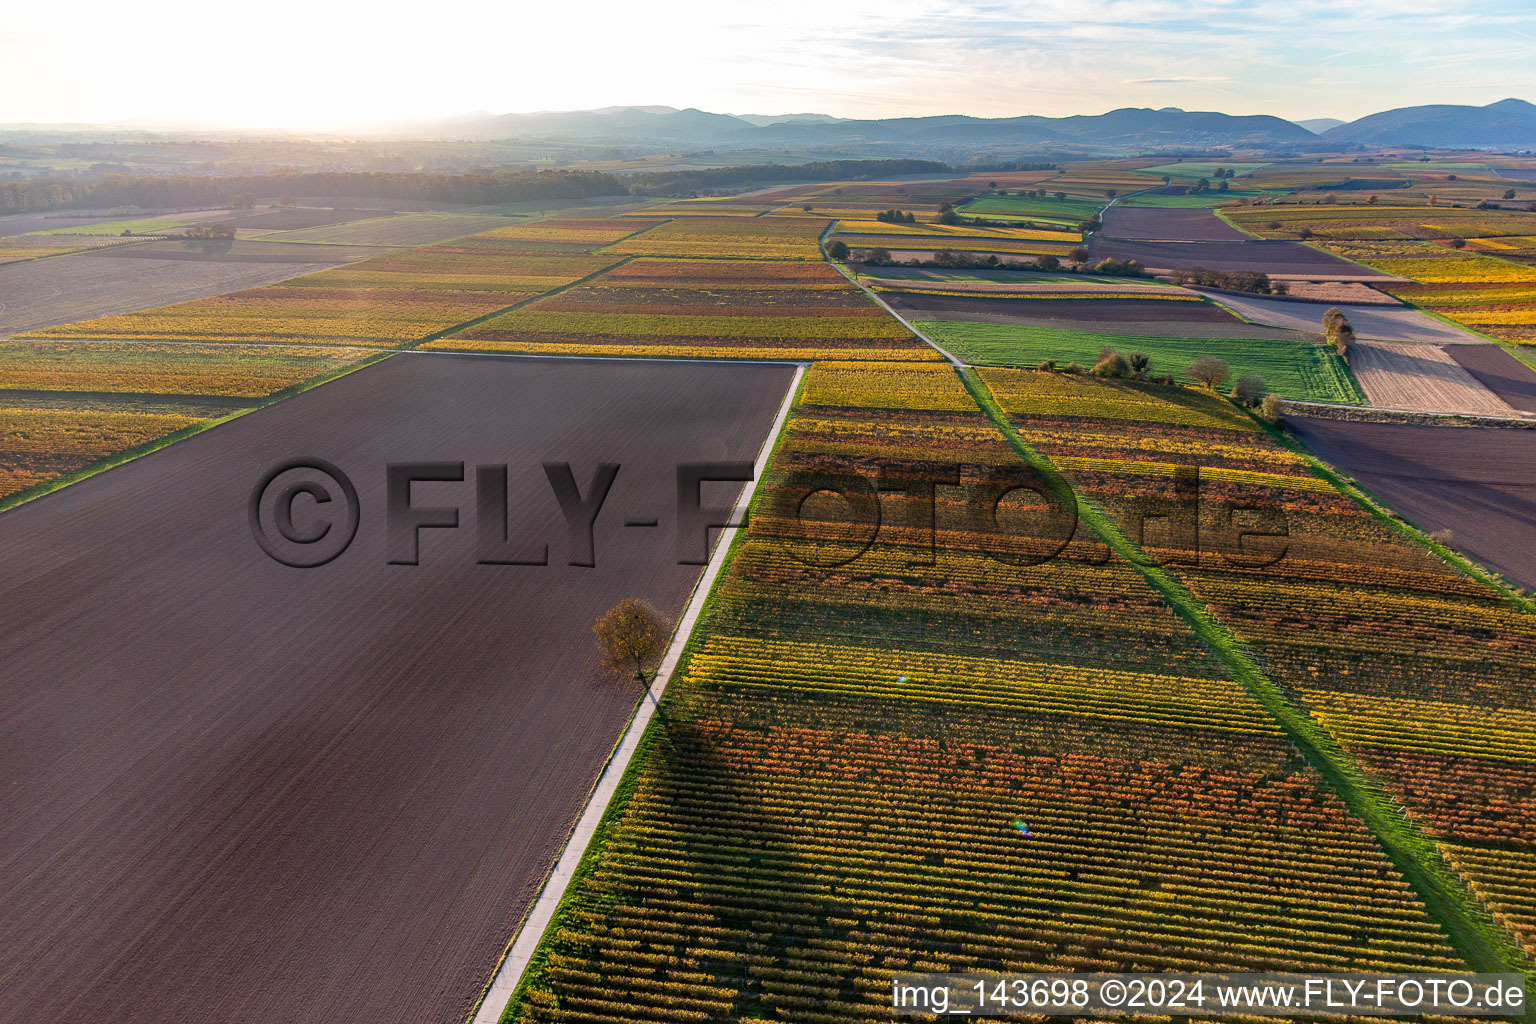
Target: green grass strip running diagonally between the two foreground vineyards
[1481, 942]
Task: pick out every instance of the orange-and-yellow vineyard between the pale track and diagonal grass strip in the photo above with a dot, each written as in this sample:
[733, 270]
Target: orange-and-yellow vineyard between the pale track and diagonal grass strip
[852, 753]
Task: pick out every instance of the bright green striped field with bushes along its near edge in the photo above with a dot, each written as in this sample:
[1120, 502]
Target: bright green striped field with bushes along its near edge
[1293, 369]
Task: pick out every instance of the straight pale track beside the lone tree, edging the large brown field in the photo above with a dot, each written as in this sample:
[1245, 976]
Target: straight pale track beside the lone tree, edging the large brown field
[531, 933]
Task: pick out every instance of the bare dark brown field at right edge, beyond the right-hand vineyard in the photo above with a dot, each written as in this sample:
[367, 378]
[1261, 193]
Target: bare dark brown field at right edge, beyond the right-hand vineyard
[1477, 483]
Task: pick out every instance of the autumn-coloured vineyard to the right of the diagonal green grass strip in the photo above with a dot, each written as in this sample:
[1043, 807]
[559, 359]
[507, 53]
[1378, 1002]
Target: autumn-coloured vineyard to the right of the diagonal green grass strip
[1418, 670]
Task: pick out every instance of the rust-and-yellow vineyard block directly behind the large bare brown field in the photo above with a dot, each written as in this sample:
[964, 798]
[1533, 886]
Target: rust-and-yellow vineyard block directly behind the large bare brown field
[703, 309]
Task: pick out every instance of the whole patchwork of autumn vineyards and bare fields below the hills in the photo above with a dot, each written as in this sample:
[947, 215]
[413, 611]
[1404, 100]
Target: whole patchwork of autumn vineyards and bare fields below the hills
[981, 685]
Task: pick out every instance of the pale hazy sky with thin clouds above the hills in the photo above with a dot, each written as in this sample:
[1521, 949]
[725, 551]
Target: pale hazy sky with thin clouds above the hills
[317, 64]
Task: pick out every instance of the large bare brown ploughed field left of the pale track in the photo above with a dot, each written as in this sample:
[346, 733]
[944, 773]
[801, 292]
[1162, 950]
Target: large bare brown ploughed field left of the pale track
[274, 830]
